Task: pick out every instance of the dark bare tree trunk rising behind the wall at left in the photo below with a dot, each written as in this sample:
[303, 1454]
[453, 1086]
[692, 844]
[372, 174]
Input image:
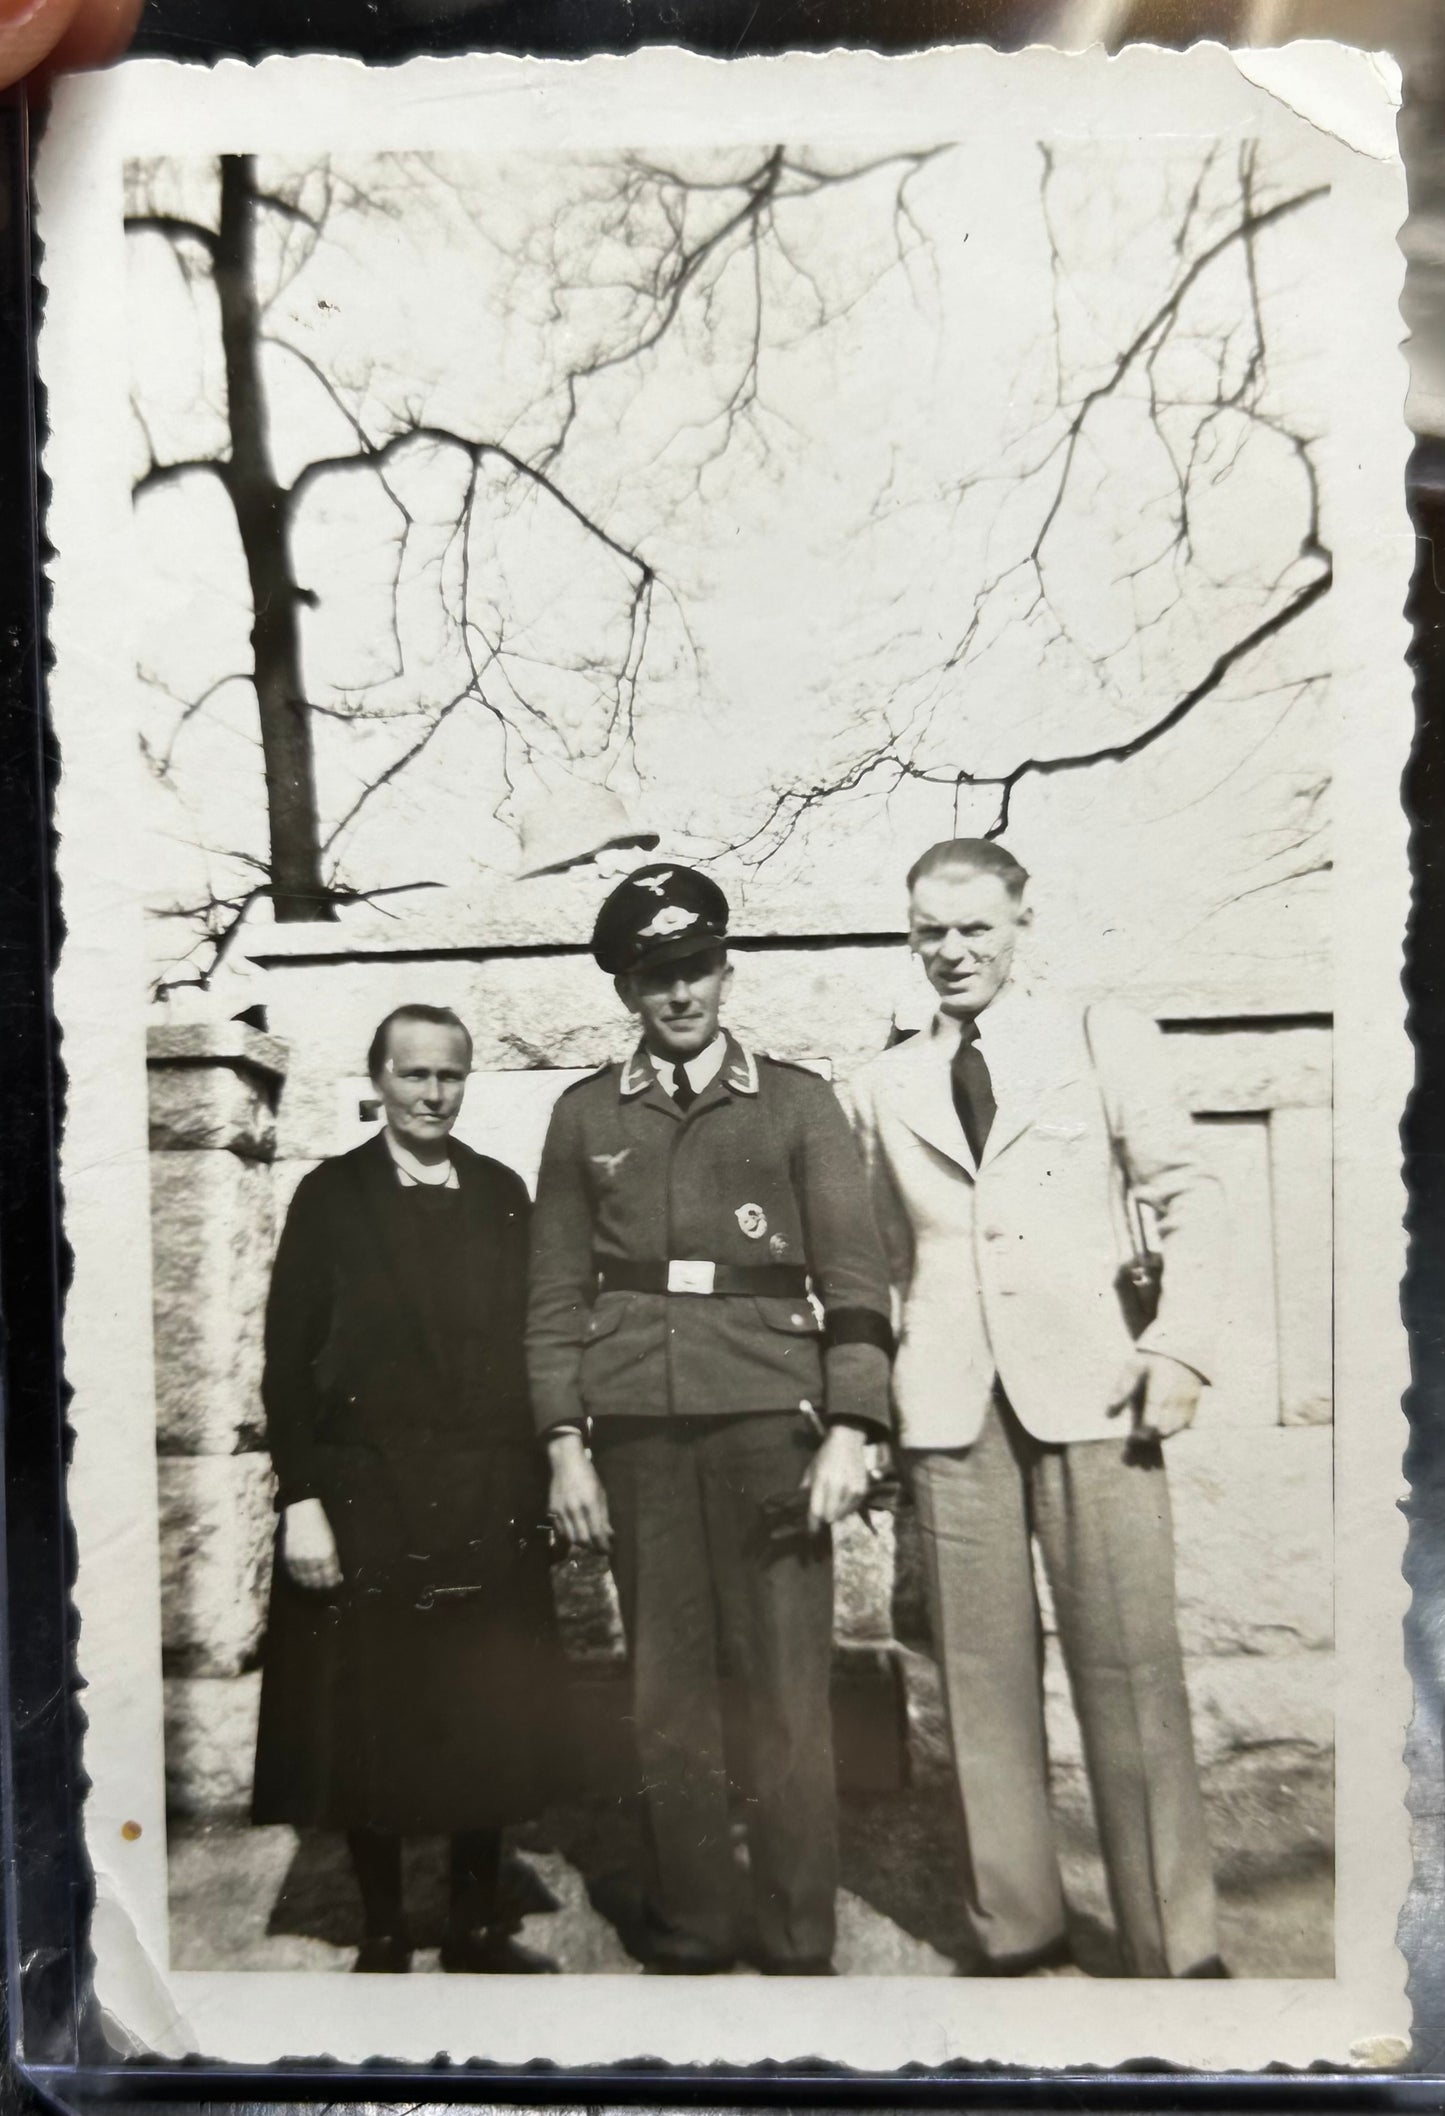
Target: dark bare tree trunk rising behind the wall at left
[261, 507]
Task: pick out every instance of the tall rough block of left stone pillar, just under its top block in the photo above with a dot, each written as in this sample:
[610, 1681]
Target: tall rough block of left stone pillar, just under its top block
[213, 1243]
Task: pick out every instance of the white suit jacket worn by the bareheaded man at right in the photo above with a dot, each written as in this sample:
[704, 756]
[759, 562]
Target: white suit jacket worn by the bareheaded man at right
[1008, 1269]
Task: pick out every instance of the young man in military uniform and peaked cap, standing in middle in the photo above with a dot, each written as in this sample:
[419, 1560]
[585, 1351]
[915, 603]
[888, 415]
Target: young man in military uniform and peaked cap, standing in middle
[708, 1347]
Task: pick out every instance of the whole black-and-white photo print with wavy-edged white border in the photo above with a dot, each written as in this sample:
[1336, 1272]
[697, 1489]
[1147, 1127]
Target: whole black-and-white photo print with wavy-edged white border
[473, 481]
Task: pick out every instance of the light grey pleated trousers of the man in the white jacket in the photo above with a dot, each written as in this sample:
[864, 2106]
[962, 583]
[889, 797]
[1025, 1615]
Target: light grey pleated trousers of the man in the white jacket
[1101, 1514]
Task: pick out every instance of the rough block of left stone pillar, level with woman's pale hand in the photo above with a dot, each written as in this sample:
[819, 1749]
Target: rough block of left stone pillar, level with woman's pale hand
[217, 1533]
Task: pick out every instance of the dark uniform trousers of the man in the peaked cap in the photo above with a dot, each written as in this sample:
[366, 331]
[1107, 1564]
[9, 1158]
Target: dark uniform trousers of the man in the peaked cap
[727, 1630]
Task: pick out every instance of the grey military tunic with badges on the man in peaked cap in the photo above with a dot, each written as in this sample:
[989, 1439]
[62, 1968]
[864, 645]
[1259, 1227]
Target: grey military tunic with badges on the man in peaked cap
[761, 1171]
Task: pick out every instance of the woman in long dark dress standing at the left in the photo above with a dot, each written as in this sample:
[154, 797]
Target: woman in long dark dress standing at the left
[411, 1673]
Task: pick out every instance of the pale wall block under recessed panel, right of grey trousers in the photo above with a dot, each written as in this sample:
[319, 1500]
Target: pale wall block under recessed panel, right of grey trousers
[1254, 1518]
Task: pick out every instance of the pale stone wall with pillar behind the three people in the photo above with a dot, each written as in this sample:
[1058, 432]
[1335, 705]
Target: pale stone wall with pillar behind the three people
[1251, 1484]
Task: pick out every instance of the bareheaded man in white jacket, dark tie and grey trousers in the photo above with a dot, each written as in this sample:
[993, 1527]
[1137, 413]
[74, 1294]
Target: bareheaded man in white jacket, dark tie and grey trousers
[1002, 1144]
